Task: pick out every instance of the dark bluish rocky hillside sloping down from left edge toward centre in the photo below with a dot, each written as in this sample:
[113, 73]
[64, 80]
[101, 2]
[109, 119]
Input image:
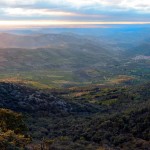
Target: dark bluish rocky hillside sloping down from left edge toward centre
[24, 99]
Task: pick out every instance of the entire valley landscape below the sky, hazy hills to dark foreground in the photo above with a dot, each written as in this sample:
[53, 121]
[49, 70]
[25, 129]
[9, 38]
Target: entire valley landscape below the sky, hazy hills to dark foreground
[67, 91]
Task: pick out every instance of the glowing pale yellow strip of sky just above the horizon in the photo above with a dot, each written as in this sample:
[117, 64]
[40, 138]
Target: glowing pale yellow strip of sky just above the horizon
[71, 24]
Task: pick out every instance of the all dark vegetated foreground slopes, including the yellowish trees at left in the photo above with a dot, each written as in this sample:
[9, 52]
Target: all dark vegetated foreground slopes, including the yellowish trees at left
[92, 118]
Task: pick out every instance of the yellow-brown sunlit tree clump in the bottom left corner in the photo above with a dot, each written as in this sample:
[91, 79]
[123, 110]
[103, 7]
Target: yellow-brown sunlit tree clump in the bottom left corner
[12, 131]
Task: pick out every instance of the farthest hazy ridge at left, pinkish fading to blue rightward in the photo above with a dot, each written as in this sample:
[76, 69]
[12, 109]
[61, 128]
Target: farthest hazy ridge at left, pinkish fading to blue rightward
[40, 40]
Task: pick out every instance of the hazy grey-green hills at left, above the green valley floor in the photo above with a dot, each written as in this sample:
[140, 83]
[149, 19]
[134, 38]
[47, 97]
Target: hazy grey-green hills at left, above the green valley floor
[51, 51]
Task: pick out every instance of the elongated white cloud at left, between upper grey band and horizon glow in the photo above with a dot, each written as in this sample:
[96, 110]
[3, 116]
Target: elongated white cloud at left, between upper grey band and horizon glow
[48, 14]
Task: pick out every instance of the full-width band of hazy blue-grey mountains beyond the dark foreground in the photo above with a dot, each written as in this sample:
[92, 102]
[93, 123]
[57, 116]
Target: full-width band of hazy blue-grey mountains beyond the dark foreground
[68, 58]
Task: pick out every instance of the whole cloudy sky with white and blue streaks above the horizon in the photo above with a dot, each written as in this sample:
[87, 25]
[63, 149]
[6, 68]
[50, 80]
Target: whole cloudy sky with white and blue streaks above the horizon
[19, 13]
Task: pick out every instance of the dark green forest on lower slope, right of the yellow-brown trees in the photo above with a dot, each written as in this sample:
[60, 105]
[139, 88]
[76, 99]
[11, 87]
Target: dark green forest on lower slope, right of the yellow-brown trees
[128, 130]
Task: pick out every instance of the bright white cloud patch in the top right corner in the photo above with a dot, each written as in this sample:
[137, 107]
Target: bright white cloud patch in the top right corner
[122, 5]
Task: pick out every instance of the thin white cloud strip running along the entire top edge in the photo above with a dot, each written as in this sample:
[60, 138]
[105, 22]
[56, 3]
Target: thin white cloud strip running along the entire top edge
[139, 5]
